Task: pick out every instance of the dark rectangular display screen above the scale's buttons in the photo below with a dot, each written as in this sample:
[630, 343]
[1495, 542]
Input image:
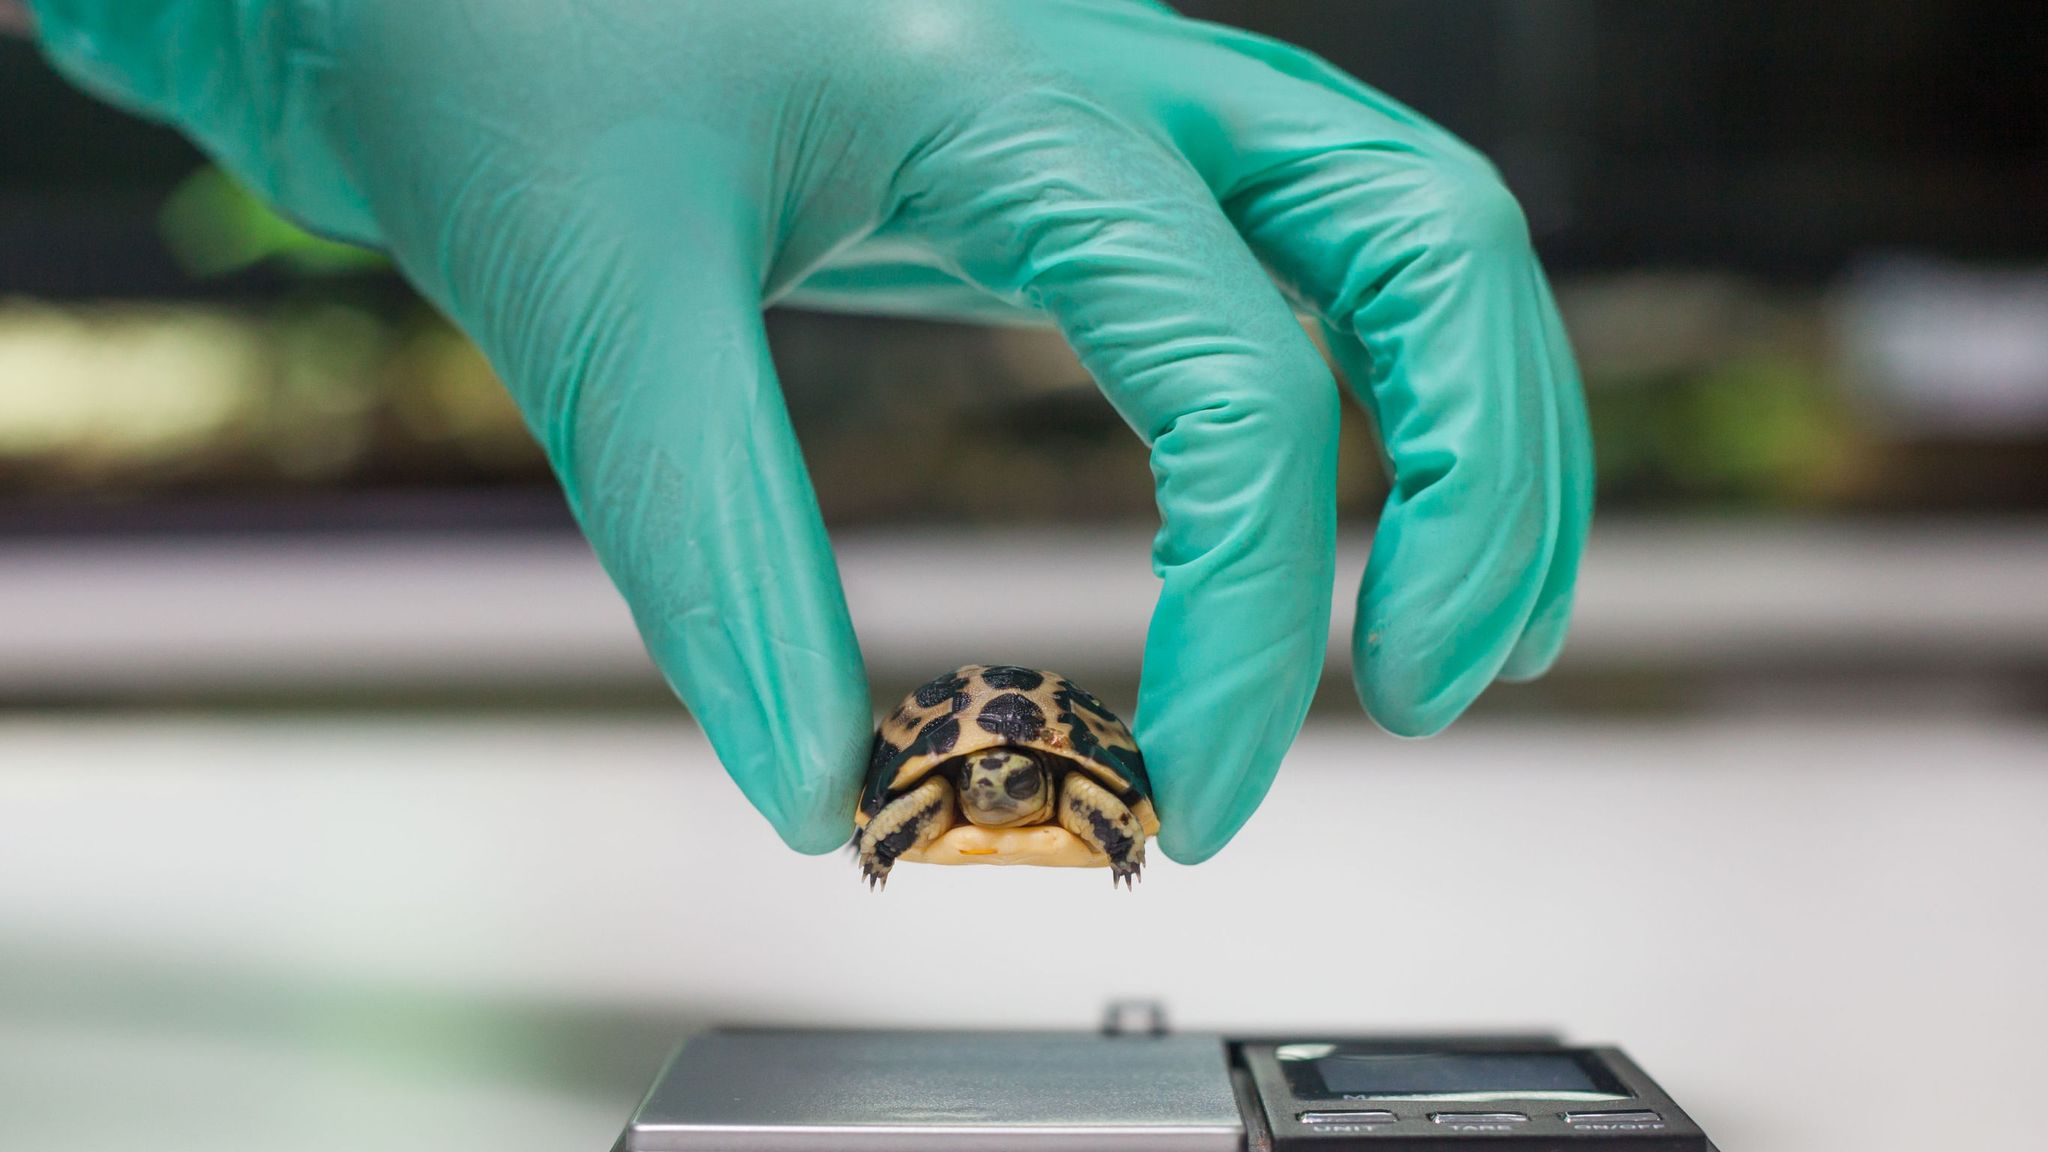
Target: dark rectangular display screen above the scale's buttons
[1326, 1071]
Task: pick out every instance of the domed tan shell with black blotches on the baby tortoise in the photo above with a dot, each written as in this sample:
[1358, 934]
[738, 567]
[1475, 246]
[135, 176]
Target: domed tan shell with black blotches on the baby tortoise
[1002, 706]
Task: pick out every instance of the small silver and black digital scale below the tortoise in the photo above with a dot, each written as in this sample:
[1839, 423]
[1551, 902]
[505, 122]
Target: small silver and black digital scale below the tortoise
[1148, 1092]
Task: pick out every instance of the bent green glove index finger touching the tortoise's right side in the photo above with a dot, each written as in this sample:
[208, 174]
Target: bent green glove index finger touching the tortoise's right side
[1052, 204]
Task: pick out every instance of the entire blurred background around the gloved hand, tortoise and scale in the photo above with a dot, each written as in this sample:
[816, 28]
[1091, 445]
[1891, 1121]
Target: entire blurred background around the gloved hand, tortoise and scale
[339, 805]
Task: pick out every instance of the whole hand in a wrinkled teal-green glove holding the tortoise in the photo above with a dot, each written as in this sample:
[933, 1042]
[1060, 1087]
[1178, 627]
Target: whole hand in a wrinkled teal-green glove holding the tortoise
[605, 196]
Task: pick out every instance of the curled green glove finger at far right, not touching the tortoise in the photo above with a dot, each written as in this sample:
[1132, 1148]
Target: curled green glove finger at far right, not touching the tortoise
[1420, 263]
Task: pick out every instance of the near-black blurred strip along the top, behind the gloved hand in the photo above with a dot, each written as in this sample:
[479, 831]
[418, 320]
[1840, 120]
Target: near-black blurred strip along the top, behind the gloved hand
[1766, 138]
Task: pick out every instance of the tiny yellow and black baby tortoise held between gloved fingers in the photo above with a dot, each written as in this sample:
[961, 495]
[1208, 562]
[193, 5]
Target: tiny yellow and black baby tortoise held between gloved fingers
[996, 764]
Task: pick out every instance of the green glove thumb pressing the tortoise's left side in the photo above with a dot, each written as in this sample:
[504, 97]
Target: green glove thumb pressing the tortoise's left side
[697, 497]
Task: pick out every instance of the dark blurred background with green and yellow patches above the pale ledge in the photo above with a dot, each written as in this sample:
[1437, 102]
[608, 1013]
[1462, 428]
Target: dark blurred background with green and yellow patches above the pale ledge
[1719, 192]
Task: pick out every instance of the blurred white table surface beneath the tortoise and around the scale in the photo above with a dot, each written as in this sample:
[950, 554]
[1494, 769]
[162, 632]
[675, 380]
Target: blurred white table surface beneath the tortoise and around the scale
[361, 934]
